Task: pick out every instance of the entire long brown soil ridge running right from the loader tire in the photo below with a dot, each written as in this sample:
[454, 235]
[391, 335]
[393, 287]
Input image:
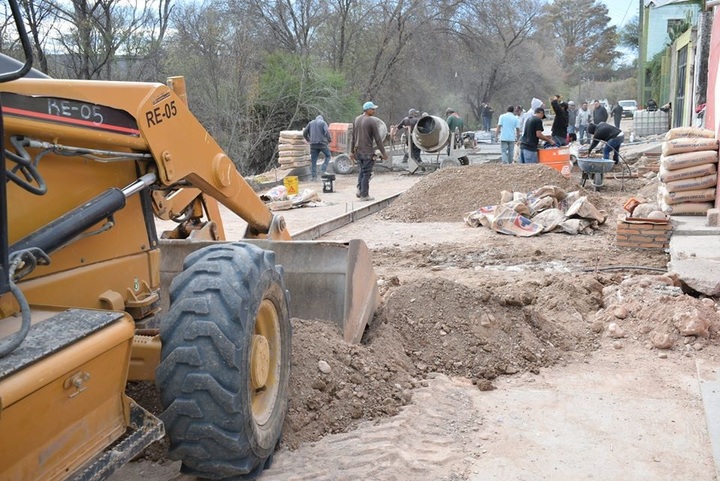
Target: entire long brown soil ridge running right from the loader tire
[427, 327]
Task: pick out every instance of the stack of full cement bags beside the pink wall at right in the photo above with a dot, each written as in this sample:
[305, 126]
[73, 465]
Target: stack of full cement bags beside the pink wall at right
[688, 171]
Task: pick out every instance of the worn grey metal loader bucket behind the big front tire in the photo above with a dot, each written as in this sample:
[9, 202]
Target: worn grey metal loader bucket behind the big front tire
[332, 281]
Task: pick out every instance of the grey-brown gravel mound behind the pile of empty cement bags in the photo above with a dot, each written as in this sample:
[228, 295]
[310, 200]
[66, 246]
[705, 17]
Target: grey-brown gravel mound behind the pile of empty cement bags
[445, 195]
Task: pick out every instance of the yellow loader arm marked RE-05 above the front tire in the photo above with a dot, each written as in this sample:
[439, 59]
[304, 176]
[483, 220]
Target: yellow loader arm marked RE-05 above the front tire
[144, 117]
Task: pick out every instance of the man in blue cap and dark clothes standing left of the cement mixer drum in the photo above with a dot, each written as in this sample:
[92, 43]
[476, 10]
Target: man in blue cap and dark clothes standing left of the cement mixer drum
[366, 136]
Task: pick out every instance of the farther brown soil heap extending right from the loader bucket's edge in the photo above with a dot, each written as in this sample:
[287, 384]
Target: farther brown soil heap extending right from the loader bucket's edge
[506, 328]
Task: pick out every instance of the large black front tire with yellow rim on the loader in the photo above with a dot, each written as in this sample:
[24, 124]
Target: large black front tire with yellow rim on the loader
[225, 365]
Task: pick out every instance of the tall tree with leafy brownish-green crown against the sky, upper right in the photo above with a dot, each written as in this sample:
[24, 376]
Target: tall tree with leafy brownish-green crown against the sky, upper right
[585, 44]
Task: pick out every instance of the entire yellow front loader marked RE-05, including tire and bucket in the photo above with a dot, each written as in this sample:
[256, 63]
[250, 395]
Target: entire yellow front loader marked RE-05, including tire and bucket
[91, 295]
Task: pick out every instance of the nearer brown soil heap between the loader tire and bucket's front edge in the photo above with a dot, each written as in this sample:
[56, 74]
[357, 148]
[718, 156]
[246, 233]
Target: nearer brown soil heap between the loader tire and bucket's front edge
[335, 385]
